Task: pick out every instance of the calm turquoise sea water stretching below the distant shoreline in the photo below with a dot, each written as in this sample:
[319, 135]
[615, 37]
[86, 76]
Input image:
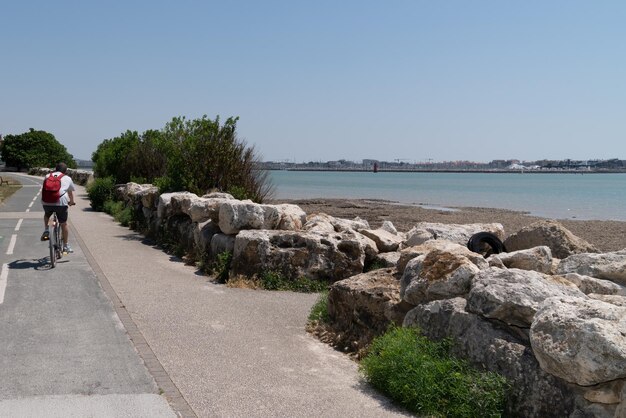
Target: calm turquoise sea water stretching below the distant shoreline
[550, 195]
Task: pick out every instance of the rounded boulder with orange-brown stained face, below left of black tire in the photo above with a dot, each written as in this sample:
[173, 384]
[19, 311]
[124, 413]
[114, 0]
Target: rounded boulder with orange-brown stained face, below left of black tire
[436, 275]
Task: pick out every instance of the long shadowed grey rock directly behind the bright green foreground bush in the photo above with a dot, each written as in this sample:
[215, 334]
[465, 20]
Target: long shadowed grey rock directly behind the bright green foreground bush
[534, 393]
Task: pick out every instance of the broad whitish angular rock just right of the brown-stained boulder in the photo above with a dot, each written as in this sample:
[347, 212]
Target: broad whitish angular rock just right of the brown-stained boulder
[513, 296]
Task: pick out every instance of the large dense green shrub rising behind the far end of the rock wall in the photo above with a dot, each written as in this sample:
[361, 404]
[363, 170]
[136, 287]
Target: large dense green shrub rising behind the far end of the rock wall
[193, 155]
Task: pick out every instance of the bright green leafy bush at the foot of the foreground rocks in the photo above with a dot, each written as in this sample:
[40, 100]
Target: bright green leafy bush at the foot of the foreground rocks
[423, 377]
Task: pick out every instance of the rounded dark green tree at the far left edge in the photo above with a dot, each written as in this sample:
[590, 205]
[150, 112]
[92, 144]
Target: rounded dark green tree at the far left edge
[34, 149]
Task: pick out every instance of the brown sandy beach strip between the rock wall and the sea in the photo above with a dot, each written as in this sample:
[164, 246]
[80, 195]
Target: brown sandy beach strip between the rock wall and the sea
[606, 235]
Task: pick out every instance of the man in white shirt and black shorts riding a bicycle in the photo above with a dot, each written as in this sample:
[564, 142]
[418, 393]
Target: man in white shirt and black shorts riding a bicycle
[60, 206]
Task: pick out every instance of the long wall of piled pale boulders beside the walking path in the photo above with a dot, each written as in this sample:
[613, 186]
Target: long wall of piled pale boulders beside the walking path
[555, 327]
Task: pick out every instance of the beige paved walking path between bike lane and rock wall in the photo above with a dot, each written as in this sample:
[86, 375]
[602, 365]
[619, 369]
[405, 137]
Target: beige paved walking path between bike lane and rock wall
[228, 352]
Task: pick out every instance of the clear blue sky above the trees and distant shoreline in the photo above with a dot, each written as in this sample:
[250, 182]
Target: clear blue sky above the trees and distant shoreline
[325, 80]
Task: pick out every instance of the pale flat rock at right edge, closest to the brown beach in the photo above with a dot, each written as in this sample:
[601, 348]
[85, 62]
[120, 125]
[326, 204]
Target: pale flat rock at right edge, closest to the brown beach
[609, 266]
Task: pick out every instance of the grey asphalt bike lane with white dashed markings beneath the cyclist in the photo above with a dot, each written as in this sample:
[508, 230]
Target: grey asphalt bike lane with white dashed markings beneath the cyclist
[63, 349]
